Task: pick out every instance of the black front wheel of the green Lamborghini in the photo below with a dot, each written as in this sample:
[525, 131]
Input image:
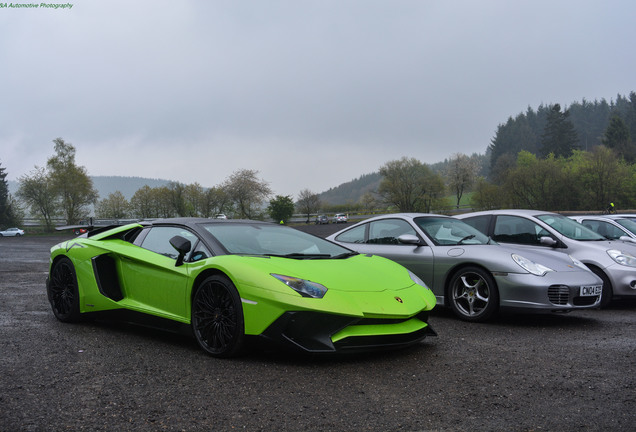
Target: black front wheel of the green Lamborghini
[217, 317]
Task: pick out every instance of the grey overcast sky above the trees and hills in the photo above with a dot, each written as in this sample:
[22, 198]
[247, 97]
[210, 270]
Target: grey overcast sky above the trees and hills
[311, 94]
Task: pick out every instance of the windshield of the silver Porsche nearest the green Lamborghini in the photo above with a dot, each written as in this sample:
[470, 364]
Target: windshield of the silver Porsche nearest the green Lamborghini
[445, 231]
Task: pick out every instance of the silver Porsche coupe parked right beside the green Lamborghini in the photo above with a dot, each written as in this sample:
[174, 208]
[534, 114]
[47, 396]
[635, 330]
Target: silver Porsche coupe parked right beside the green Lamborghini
[471, 274]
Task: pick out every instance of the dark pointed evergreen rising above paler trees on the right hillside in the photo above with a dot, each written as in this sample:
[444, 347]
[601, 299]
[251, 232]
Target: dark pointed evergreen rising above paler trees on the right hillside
[559, 136]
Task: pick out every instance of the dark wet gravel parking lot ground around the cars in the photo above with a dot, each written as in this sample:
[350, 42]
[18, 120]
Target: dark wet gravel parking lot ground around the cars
[573, 372]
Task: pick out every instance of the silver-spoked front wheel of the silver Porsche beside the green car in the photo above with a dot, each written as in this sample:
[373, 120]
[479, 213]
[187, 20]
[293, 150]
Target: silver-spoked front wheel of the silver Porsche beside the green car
[473, 295]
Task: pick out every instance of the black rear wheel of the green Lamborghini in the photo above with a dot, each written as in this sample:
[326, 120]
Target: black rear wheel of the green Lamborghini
[62, 291]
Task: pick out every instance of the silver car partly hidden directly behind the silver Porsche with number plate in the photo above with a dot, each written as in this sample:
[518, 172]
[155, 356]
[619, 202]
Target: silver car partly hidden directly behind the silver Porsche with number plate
[613, 261]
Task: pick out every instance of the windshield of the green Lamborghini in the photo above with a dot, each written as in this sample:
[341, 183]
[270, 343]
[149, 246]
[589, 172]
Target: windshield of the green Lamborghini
[273, 240]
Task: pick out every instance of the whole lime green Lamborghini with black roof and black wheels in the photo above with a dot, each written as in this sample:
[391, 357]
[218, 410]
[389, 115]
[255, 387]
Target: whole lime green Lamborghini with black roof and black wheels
[231, 280]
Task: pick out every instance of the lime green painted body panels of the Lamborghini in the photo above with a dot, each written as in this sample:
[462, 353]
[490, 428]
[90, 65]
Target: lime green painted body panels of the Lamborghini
[358, 286]
